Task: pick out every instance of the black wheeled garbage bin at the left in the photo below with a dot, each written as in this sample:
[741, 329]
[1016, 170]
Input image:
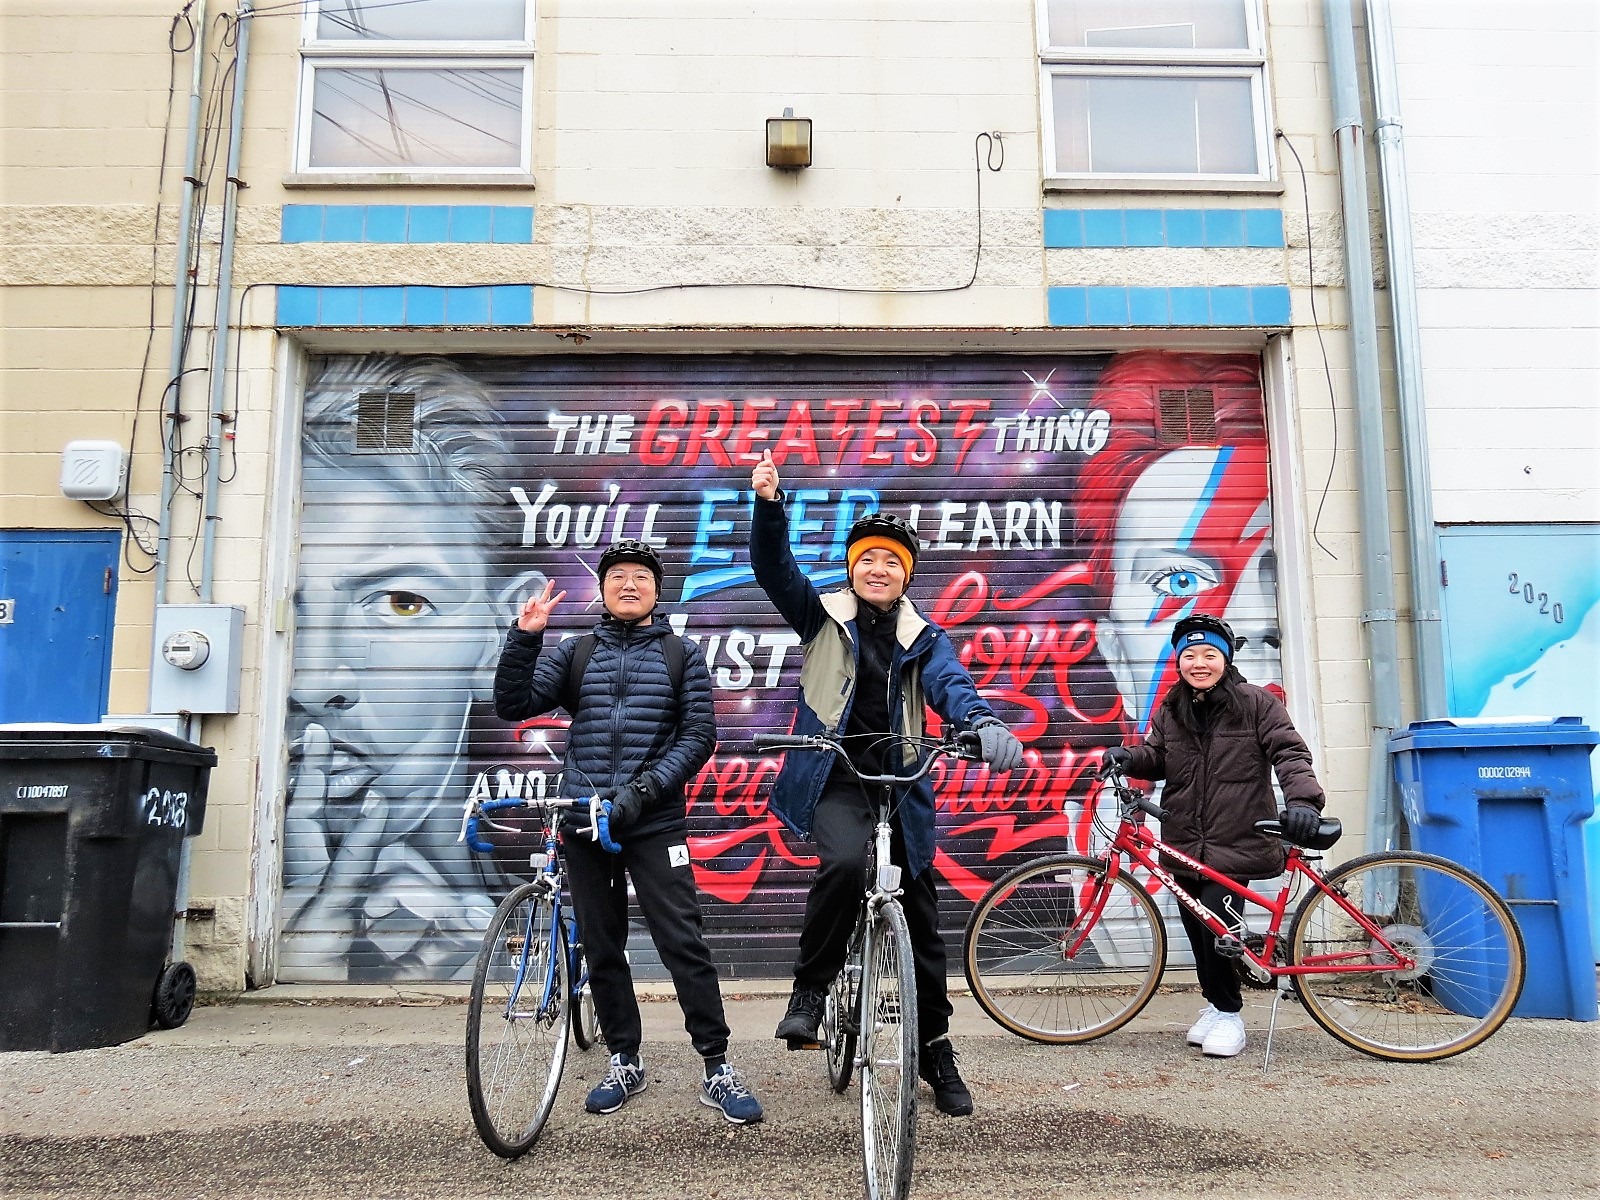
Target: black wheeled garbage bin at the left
[92, 830]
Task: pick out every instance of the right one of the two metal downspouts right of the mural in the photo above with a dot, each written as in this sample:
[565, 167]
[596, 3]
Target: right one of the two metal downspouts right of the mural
[1423, 534]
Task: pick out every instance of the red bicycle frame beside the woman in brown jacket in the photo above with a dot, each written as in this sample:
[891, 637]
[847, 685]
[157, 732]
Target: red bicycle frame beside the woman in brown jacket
[1137, 842]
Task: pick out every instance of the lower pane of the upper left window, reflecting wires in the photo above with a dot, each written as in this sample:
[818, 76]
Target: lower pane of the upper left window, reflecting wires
[417, 118]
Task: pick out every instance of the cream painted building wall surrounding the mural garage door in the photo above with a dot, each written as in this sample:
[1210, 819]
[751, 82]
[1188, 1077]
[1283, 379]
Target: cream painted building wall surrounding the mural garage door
[649, 170]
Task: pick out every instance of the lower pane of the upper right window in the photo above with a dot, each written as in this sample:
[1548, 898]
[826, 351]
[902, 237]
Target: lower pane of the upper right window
[1154, 126]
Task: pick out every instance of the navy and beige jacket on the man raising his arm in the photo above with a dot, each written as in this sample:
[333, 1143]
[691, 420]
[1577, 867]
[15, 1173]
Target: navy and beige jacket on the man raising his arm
[924, 673]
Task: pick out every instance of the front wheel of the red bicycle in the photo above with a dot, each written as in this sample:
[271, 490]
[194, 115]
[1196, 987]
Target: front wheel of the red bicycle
[1022, 932]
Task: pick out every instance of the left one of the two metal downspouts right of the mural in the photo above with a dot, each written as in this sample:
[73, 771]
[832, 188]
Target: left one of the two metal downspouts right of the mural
[1374, 479]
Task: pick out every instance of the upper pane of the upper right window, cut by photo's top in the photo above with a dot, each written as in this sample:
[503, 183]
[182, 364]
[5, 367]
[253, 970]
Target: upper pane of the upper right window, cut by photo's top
[1150, 25]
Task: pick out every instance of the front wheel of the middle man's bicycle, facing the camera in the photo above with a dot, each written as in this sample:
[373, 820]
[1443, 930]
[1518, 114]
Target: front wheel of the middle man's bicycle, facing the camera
[889, 1055]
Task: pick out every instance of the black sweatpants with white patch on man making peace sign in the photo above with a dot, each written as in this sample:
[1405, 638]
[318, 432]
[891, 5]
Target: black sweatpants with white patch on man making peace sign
[665, 886]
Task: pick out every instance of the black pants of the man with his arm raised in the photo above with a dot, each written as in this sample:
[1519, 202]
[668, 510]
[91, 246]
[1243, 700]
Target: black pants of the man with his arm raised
[842, 831]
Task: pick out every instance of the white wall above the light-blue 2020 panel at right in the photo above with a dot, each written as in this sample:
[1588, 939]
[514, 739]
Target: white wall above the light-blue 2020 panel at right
[1503, 153]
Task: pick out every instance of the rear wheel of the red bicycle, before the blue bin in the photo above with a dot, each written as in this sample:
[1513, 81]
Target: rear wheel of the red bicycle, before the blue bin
[1468, 956]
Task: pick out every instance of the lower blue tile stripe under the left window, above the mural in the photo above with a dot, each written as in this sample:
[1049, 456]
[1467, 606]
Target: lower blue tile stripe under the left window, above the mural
[401, 306]
